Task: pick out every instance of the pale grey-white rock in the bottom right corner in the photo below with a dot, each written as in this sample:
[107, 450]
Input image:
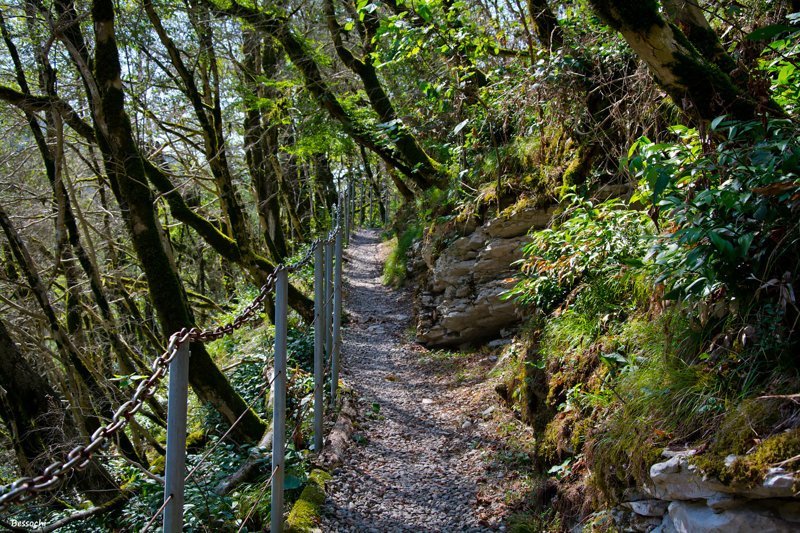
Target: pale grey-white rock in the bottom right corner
[680, 499]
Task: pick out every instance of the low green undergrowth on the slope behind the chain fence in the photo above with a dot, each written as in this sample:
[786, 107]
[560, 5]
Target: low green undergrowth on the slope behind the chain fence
[246, 357]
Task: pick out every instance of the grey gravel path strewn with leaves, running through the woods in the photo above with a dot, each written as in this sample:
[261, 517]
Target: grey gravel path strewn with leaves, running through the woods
[417, 463]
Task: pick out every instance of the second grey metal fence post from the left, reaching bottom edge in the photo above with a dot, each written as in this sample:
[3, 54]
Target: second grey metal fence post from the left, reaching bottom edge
[279, 403]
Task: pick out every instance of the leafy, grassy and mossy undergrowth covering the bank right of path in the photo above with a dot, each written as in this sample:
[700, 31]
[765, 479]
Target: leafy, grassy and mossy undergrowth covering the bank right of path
[670, 322]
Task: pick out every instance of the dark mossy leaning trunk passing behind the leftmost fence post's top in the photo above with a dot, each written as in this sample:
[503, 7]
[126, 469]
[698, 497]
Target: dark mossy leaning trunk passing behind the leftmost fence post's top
[126, 170]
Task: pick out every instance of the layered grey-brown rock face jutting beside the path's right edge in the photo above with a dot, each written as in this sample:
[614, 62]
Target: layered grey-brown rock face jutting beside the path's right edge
[462, 273]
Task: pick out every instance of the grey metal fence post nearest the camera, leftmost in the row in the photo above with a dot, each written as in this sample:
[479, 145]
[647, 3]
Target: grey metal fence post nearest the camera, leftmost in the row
[175, 466]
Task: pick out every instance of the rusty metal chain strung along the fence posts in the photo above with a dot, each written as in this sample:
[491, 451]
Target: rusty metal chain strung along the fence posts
[79, 458]
